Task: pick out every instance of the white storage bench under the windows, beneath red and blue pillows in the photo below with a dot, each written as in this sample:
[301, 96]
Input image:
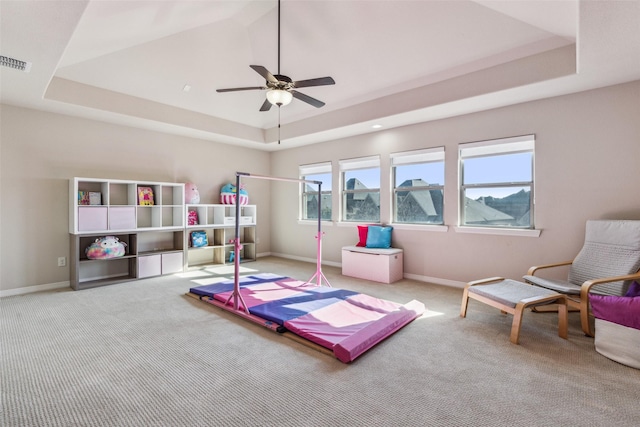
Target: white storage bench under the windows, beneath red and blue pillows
[378, 265]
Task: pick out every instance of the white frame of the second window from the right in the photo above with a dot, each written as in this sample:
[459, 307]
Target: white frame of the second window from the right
[415, 157]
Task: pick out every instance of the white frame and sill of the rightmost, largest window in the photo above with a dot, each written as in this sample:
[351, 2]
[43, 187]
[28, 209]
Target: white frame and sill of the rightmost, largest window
[511, 145]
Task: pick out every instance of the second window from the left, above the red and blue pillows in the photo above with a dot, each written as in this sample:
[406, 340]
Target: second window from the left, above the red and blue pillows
[361, 189]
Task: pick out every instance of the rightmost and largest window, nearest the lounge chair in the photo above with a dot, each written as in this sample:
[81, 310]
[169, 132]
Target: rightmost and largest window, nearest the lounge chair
[497, 183]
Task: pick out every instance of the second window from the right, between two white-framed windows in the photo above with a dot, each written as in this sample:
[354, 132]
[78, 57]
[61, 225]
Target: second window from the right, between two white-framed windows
[418, 186]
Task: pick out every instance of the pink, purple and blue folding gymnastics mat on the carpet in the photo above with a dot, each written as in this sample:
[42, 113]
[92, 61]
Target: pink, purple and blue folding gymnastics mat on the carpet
[347, 323]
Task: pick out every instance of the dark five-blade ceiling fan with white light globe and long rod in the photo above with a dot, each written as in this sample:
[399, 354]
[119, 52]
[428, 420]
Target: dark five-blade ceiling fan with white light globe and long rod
[281, 89]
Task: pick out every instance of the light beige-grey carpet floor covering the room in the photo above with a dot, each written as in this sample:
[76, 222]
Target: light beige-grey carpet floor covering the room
[143, 354]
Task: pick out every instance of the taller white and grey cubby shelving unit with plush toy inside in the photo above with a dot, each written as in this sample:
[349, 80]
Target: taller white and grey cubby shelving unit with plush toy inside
[154, 233]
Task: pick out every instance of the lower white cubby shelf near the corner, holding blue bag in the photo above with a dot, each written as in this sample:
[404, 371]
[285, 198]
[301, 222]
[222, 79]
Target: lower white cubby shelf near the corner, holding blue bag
[218, 222]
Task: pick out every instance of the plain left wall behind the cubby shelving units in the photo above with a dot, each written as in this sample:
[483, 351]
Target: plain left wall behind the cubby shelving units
[41, 151]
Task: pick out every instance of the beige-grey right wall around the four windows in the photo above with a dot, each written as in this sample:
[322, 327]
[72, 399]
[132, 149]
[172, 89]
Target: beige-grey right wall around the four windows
[587, 153]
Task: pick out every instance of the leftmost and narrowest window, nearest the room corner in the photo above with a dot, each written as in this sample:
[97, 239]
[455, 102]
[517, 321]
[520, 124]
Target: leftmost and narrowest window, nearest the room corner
[309, 192]
